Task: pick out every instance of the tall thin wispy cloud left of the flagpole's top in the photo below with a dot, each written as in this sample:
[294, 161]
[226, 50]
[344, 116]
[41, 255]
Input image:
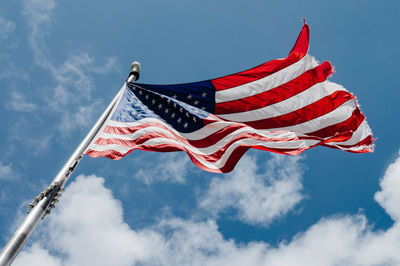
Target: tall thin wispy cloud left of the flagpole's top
[70, 97]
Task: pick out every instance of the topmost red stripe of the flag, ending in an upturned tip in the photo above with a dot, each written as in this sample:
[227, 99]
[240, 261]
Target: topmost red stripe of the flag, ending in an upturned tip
[297, 53]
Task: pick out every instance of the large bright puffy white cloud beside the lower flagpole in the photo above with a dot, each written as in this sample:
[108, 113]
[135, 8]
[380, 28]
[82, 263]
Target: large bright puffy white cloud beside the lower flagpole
[87, 229]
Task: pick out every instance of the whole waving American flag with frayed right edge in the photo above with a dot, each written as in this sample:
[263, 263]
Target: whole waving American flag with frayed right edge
[285, 106]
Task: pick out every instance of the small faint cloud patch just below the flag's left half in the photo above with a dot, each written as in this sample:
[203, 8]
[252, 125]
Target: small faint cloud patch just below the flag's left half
[171, 167]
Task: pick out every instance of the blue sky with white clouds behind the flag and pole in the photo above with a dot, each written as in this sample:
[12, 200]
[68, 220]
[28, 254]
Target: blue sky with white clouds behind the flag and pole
[62, 62]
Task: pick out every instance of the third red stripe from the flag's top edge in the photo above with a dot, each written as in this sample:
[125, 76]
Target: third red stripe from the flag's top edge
[307, 113]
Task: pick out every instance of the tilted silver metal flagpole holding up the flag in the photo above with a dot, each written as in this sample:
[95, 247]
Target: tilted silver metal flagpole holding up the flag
[44, 202]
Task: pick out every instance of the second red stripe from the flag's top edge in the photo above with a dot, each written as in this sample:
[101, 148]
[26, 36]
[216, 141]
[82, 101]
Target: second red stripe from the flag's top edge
[278, 94]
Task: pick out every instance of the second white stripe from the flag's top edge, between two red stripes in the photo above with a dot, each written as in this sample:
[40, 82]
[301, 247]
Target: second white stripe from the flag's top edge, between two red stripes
[298, 101]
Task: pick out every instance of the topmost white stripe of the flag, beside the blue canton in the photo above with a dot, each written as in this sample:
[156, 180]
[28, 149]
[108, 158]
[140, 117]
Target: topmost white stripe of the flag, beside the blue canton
[269, 82]
